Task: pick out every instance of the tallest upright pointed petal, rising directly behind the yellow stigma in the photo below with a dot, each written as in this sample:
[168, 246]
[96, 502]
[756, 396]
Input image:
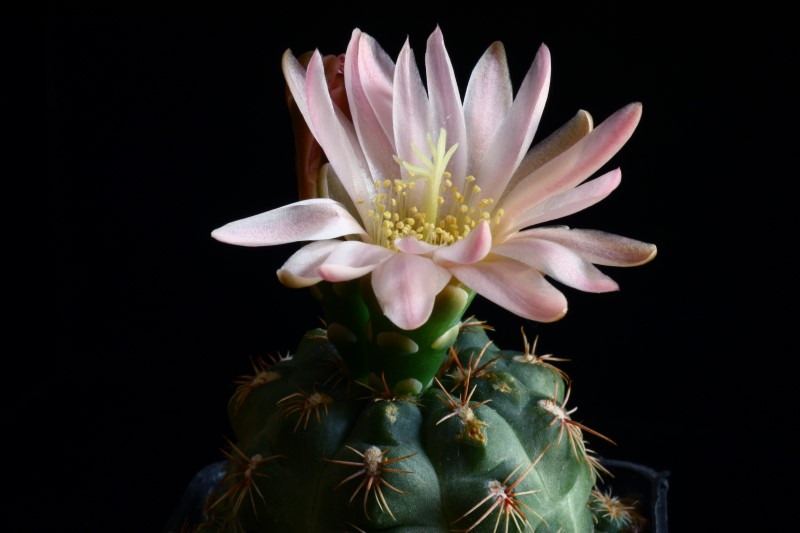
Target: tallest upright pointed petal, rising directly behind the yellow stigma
[445, 104]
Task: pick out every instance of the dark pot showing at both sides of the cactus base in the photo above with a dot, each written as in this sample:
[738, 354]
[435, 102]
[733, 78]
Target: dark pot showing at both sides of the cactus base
[630, 482]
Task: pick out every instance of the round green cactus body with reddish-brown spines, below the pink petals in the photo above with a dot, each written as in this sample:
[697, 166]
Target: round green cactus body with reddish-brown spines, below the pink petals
[326, 442]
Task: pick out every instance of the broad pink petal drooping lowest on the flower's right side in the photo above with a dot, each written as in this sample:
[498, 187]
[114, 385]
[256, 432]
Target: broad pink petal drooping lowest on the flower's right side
[514, 286]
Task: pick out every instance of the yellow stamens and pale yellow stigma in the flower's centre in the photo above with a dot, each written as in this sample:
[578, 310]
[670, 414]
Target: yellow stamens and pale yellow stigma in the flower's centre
[428, 206]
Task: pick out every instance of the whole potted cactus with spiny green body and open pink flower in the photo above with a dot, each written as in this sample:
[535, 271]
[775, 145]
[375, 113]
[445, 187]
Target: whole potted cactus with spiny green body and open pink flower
[401, 414]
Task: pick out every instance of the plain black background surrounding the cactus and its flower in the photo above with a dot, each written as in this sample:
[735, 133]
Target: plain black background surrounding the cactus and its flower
[164, 128]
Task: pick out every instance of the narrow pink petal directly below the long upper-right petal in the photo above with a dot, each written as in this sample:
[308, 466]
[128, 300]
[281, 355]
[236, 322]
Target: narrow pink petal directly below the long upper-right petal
[567, 202]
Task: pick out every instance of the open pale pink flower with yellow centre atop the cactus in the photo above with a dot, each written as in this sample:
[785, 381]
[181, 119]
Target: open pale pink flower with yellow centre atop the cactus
[421, 188]
